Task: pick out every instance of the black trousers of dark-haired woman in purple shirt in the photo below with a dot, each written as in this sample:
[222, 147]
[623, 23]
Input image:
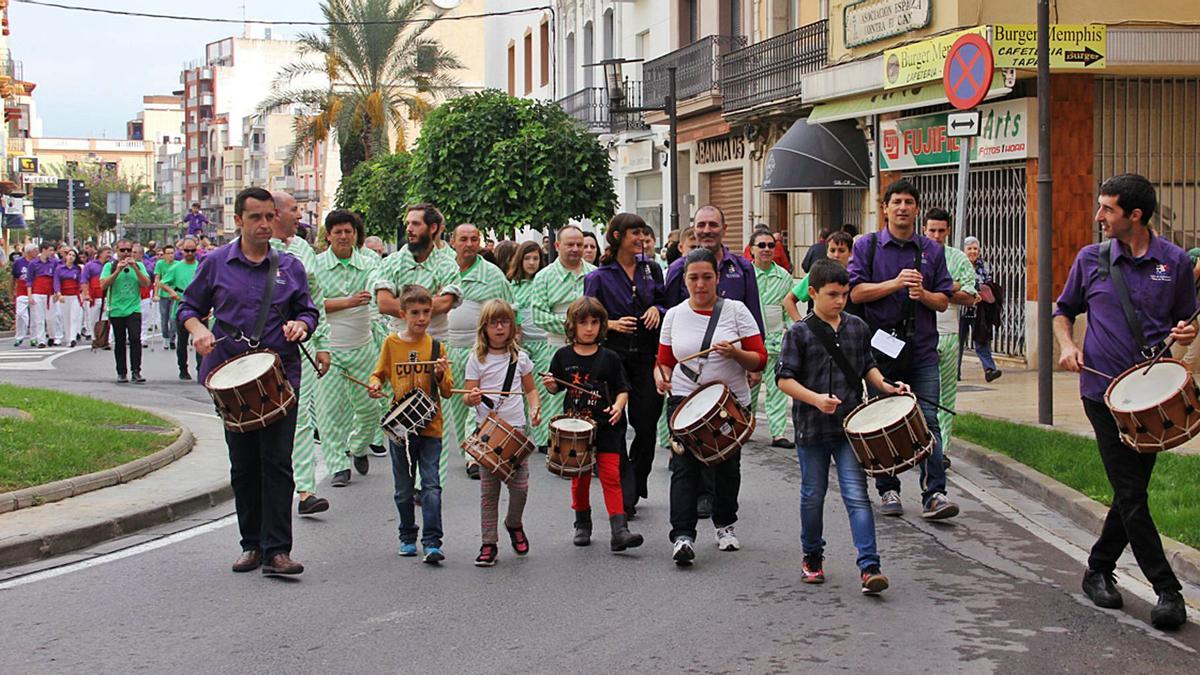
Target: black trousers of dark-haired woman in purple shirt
[644, 410]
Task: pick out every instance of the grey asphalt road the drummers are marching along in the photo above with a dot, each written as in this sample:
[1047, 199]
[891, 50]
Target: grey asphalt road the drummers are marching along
[993, 590]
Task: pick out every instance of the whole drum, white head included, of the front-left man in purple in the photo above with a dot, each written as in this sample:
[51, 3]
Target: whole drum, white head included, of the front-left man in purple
[251, 391]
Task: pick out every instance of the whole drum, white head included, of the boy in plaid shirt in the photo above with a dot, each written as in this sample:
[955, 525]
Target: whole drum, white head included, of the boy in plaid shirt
[889, 435]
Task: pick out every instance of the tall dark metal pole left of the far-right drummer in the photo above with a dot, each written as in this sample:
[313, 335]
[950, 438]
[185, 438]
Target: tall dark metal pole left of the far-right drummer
[1046, 213]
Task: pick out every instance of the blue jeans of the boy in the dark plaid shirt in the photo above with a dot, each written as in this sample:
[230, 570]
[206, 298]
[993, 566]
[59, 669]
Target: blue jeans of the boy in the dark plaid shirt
[853, 483]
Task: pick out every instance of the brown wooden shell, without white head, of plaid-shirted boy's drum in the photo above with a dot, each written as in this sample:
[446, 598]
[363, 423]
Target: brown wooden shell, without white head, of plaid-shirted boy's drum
[893, 449]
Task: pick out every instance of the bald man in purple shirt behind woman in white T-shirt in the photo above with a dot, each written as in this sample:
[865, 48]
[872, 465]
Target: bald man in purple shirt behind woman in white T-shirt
[737, 282]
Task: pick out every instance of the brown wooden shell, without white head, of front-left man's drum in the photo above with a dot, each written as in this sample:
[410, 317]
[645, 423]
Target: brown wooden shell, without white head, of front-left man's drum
[256, 404]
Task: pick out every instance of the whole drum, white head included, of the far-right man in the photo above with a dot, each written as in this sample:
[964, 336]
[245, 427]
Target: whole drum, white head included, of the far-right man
[1155, 410]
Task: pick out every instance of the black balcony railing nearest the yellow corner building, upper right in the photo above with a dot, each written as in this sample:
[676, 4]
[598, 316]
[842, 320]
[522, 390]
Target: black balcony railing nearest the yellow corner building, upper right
[770, 71]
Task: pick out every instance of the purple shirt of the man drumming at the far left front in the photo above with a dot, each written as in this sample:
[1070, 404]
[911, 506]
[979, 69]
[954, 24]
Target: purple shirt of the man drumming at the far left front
[232, 288]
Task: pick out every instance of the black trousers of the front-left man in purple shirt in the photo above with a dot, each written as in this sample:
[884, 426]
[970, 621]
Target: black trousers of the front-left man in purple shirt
[261, 474]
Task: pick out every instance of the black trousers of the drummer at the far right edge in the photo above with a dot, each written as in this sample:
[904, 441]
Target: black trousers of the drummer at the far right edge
[1130, 521]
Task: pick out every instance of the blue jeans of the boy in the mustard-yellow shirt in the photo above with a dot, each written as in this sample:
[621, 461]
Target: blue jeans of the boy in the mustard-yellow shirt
[424, 452]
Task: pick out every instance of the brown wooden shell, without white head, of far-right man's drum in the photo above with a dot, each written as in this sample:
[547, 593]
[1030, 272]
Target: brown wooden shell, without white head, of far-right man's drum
[1161, 427]
